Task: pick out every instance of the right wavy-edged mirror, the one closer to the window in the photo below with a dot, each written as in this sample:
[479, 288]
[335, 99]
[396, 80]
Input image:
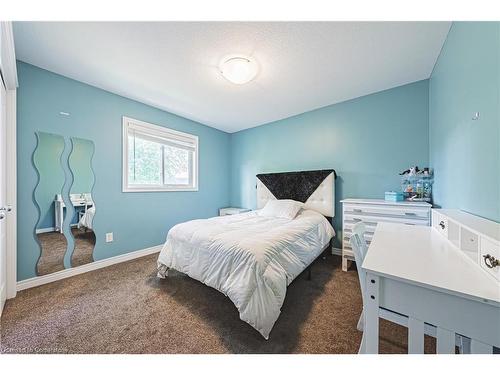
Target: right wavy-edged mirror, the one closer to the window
[81, 225]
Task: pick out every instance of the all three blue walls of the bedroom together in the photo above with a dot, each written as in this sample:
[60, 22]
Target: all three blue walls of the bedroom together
[367, 140]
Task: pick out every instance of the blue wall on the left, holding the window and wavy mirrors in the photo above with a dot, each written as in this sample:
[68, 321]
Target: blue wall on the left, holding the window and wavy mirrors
[138, 220]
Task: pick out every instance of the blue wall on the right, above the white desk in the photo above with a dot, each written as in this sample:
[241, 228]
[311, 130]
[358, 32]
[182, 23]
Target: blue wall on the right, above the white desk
[465, 154]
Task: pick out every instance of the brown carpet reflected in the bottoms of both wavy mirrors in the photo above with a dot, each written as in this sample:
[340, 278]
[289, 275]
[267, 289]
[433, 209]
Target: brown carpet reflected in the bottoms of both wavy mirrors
[54, 247]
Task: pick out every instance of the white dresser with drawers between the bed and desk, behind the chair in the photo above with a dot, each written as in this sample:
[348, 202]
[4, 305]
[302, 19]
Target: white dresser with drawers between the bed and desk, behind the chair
[373, 211]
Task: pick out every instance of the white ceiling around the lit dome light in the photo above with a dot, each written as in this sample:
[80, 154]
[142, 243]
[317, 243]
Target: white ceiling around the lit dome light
[173, 65]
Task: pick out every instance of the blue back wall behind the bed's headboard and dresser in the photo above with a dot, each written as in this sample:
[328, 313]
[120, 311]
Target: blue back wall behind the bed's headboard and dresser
[367, 140]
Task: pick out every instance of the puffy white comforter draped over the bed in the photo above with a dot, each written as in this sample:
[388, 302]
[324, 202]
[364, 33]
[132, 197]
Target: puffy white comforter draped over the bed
[248, 257]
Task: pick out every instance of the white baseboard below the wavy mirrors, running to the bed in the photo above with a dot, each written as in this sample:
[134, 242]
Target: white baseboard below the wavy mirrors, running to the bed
[69, 272]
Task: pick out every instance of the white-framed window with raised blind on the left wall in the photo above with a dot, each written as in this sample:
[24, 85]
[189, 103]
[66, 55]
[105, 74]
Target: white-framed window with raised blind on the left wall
[157, 158]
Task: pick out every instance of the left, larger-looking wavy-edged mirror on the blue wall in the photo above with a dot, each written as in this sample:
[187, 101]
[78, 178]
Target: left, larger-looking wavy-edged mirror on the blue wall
[48, 198]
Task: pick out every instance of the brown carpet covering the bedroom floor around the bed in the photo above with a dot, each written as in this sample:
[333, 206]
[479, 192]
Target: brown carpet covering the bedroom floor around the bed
[126, 309]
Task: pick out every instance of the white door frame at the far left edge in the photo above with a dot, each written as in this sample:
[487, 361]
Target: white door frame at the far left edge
[9, 74]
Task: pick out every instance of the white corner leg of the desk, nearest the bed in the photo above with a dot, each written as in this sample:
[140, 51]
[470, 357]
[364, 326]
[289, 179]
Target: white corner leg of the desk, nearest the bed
[371, 314]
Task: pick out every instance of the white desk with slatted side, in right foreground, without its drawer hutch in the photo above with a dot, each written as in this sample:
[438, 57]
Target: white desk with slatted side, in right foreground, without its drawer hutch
[417, 272]
